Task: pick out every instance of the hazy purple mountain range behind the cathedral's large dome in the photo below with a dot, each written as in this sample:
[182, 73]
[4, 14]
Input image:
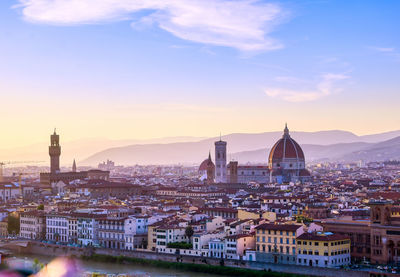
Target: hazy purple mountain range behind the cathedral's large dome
[333, 145]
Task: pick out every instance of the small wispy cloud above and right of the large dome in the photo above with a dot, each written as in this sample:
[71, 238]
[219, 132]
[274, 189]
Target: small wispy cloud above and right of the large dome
[324, 87]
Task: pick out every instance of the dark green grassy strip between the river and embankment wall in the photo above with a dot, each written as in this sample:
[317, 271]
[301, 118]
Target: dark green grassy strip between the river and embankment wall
[199, 268]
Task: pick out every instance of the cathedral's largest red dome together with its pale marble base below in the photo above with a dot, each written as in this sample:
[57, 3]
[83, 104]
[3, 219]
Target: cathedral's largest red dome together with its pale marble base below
[286, 161]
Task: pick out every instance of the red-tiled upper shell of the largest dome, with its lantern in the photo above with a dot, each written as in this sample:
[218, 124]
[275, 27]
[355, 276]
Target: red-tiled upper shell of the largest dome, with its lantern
[285, 148]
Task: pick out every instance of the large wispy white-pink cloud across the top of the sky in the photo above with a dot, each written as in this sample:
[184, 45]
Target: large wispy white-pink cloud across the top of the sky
[242, 24]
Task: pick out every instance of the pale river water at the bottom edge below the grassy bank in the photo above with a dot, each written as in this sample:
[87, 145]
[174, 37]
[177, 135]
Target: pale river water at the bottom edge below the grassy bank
[26, 261]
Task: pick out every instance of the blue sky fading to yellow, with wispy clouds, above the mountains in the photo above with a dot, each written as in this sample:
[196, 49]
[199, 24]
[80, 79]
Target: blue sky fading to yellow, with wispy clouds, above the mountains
[136, 69]
